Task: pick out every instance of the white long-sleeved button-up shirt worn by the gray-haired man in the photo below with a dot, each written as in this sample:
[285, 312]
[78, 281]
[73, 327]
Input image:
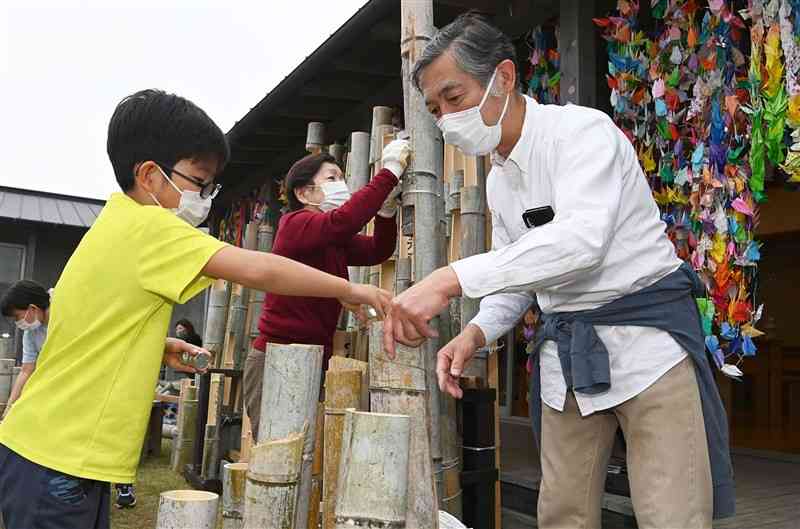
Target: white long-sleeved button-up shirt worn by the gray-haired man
[606, 240]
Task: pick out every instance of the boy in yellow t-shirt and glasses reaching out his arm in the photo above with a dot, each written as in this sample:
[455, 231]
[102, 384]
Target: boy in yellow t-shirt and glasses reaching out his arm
[81, 421]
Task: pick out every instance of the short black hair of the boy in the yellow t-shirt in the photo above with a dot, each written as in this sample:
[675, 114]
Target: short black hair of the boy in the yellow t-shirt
[166, 128]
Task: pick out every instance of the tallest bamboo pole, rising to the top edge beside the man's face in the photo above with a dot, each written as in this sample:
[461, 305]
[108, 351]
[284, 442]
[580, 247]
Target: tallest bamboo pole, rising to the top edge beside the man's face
[424, 182]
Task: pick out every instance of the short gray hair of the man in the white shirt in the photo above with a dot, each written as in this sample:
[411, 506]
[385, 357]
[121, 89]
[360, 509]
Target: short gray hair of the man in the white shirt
[476, 45]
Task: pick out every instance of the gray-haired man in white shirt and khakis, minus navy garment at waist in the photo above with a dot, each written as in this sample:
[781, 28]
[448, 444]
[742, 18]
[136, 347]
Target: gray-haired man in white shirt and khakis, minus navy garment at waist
[574, 227]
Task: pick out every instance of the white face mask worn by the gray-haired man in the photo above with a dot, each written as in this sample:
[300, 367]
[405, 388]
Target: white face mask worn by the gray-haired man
[467, 131]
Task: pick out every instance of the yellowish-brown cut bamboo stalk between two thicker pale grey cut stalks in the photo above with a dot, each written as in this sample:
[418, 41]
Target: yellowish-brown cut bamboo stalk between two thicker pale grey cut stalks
[342, 391]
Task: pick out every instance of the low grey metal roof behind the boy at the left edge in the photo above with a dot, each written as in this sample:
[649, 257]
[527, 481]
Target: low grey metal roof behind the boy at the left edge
[51, 208]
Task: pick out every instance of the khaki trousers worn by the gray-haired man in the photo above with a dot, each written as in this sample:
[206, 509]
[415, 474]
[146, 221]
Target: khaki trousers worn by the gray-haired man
[667, 456]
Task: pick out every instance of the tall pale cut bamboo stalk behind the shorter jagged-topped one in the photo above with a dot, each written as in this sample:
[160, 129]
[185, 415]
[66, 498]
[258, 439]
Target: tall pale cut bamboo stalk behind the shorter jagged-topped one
[289, 405]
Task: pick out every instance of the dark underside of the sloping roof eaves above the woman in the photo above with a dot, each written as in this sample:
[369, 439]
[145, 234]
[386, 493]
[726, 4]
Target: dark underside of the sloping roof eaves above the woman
[356, 68]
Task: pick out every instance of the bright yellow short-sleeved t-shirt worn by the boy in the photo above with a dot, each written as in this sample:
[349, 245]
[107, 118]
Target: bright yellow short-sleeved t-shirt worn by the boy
[84, 411]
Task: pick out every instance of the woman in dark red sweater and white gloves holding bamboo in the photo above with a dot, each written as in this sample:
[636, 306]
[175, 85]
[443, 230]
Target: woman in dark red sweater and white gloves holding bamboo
[322, 231]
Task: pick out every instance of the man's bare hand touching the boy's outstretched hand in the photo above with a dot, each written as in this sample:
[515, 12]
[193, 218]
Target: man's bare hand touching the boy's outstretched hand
[408, 319]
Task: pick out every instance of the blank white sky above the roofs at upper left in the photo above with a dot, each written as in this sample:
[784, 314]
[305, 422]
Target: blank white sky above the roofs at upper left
[63, 70]
